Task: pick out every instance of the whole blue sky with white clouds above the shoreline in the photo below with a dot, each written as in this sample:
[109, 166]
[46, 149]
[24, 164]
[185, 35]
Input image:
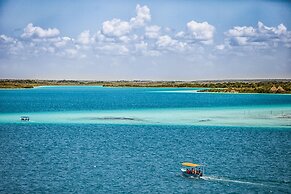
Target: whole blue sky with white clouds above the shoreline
[145, 40]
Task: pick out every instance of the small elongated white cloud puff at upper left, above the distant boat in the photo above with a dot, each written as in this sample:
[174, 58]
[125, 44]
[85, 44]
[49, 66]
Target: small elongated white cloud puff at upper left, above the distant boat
[38, 32]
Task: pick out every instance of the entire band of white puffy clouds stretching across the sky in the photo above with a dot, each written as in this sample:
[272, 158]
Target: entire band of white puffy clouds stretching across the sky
[138, 36]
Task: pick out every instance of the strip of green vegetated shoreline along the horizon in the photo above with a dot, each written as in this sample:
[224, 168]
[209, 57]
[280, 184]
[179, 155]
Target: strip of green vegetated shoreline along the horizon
[245, 86]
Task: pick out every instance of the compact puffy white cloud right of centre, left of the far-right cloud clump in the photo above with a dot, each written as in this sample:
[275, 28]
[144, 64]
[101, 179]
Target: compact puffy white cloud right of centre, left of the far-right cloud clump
[201, 31]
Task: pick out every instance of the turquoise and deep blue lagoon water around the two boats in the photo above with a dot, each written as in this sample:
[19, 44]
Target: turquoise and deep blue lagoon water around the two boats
[133, 140]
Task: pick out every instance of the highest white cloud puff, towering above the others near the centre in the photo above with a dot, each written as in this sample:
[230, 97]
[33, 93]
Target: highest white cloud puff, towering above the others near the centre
[143, 15]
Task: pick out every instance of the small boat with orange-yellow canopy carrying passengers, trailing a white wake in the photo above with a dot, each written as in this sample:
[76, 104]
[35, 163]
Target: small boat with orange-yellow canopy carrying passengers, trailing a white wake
[192, 170]
